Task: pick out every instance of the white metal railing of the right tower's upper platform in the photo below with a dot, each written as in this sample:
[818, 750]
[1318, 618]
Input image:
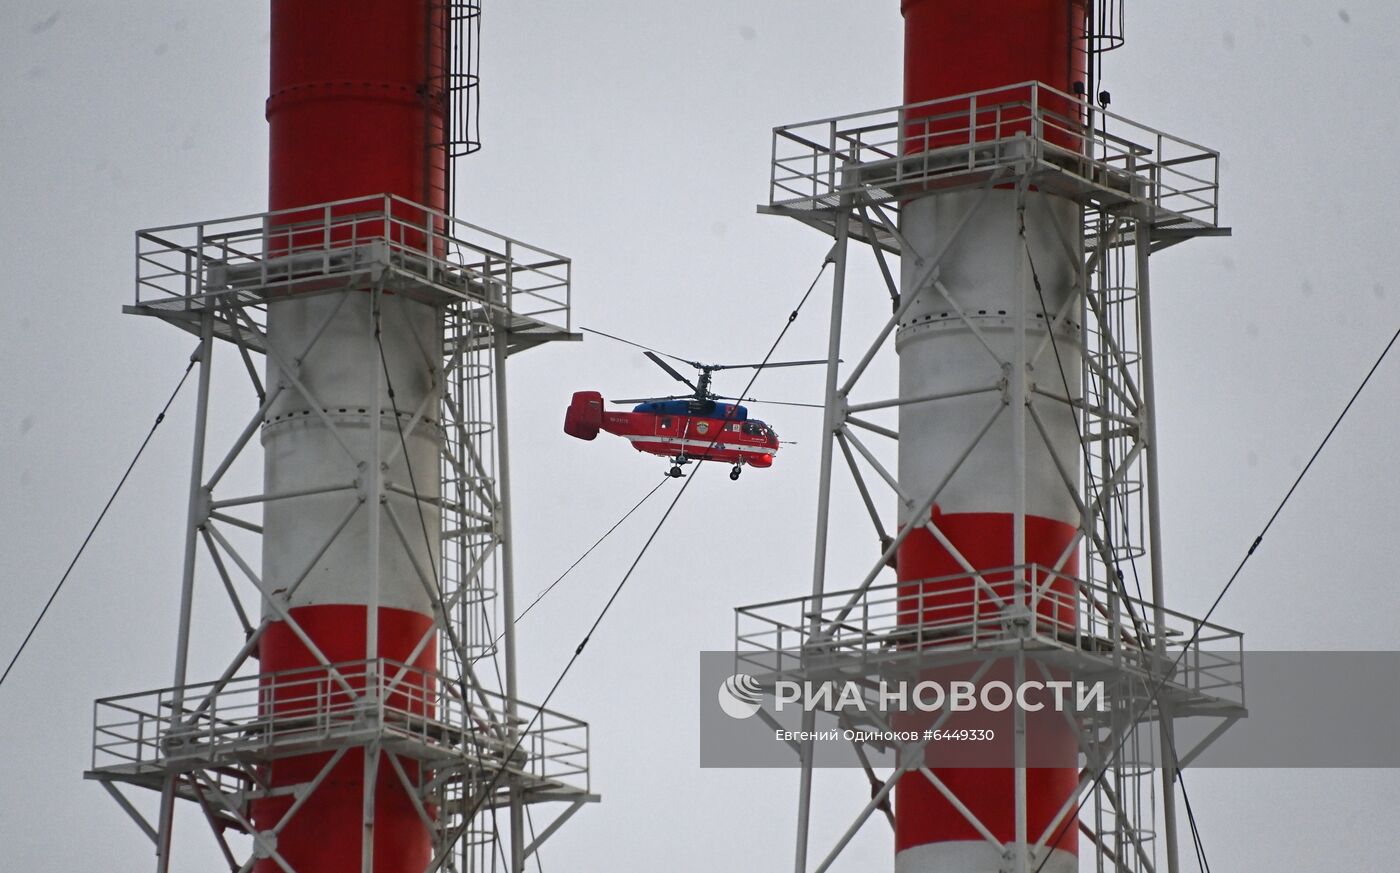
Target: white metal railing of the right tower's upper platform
[901, 152]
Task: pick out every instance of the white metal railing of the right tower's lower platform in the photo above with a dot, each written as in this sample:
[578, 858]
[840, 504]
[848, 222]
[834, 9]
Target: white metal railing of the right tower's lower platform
[990, 611]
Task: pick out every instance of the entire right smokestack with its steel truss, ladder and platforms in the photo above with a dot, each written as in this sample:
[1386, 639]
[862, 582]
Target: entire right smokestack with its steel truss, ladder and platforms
[1023, 216]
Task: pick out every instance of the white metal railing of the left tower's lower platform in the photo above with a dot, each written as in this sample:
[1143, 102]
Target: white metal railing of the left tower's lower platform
[309, 710]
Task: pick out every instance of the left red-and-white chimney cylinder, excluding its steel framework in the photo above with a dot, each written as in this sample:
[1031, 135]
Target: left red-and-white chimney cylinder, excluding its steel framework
[352, 114]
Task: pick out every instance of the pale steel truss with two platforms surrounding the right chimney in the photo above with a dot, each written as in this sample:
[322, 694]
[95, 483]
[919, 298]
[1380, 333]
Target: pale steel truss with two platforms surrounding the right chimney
[1139, 191]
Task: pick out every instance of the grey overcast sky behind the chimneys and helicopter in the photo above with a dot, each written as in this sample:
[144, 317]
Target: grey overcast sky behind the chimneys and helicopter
[633, 136]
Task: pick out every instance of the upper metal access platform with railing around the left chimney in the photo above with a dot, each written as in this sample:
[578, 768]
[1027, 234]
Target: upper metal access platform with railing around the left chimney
[381, 241]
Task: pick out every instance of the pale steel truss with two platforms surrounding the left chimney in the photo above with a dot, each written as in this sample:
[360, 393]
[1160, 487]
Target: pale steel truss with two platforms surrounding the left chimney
[453, 738]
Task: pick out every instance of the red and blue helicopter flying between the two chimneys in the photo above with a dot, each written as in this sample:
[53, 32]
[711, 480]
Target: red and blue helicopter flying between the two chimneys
[685, 429]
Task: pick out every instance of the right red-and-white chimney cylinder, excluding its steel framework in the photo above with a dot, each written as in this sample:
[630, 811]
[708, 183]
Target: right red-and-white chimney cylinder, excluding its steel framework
[951, 48]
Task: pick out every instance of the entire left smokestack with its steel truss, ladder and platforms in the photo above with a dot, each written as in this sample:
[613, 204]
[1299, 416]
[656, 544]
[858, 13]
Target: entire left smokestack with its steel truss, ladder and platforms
[365, 739]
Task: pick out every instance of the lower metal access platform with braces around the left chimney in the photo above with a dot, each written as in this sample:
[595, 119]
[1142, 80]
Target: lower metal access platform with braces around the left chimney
[447, 744]
